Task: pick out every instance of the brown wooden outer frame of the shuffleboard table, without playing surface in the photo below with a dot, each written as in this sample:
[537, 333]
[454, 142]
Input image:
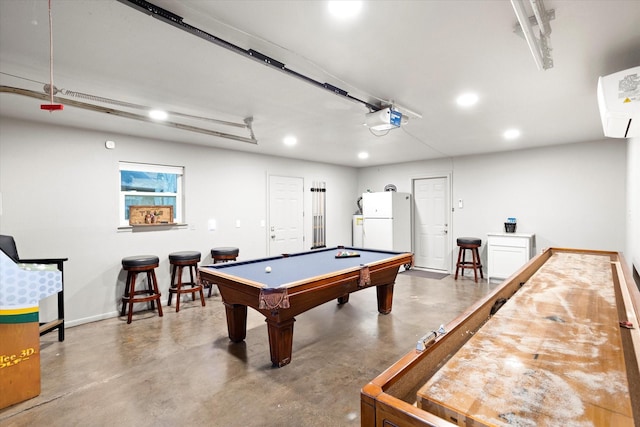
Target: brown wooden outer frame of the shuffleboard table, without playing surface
[389, 399]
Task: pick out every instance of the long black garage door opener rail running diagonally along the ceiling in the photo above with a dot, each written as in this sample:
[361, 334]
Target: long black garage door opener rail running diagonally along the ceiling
[177, 21]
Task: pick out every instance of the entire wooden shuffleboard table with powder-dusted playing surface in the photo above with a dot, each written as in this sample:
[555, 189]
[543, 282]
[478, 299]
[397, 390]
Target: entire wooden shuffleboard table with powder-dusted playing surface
[547, 347]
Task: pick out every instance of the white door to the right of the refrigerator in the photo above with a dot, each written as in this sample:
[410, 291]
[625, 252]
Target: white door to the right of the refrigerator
[431, 223]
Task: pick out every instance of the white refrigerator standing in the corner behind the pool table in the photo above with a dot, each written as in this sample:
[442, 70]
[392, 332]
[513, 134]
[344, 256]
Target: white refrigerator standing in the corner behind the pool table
[386, 221]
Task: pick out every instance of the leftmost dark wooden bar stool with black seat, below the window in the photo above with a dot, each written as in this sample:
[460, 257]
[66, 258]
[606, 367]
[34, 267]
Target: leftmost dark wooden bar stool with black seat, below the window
[140, 264]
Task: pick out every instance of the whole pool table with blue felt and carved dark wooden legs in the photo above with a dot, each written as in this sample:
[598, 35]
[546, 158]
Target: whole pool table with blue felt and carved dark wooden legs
[297, 283]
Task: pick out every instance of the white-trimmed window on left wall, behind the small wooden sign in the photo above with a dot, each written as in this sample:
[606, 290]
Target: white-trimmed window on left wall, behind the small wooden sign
[150, 185]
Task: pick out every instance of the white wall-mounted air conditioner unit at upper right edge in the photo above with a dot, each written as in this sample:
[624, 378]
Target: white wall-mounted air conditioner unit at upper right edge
[619, 103]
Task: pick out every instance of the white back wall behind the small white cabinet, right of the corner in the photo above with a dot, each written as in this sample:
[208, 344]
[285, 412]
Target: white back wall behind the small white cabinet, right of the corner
[568, 195]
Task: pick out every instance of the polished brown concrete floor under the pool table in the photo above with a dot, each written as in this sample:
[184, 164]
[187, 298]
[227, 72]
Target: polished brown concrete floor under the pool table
[182, 370]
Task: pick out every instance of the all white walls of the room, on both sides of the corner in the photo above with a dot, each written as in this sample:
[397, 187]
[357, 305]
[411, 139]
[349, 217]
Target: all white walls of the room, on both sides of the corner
[59, 191]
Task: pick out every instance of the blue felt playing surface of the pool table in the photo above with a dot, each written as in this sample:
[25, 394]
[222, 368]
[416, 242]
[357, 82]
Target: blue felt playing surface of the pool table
[288, 270]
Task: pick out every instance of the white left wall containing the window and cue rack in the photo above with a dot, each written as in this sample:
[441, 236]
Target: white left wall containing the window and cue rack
[60, 191]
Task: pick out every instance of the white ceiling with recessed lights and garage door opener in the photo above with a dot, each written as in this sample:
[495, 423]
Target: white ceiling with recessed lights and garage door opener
[418, 54]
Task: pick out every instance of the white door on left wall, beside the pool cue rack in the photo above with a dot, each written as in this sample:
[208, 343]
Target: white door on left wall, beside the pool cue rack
[286, 215]
